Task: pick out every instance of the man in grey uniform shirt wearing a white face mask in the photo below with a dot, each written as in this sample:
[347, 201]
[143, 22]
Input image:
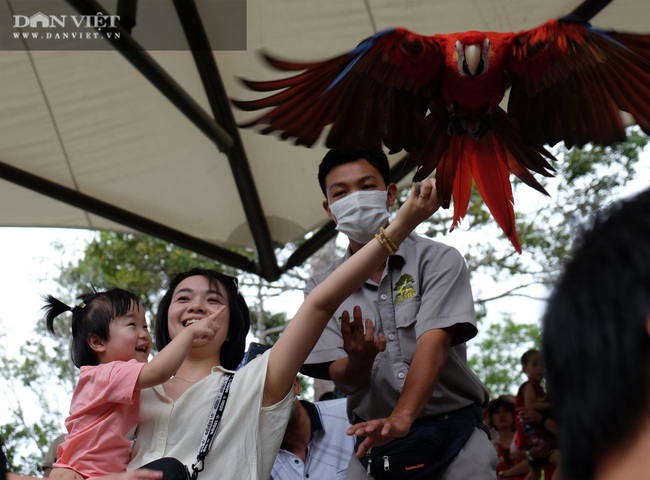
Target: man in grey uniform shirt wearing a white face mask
[420, 305]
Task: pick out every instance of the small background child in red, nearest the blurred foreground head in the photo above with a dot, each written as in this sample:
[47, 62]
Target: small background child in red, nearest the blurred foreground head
[531, 394]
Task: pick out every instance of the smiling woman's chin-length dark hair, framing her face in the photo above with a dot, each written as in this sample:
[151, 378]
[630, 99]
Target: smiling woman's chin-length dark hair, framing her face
[232, 351]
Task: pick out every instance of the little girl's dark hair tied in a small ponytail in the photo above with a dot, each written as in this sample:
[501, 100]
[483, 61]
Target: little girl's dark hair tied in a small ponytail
[91, 316]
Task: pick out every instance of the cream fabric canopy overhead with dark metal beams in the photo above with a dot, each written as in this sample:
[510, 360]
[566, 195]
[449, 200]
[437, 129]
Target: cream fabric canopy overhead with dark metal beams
[129, 142]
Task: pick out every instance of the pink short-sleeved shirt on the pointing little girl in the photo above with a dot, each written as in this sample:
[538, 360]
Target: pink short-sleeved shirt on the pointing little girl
[105, 407]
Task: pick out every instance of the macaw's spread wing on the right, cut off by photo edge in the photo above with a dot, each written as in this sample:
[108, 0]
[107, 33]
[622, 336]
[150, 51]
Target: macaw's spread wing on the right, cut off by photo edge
[570, 80]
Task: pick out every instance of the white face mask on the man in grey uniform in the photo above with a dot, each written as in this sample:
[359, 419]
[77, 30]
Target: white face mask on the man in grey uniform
[361, 214]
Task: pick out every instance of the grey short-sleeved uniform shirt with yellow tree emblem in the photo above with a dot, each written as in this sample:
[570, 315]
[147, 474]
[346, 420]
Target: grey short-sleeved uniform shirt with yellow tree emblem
[425, 286]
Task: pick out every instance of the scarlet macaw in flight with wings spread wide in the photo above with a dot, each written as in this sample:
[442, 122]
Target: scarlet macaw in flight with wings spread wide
[438, 97]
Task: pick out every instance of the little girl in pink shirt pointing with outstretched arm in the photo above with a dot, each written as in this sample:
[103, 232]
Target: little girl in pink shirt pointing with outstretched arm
[111, 345]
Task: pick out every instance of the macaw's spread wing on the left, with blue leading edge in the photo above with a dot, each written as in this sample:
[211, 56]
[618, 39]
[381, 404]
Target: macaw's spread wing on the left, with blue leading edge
[375, 94]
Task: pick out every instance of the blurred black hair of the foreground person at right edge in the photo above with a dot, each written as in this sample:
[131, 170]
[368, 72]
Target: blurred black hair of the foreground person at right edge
[595, 339]
